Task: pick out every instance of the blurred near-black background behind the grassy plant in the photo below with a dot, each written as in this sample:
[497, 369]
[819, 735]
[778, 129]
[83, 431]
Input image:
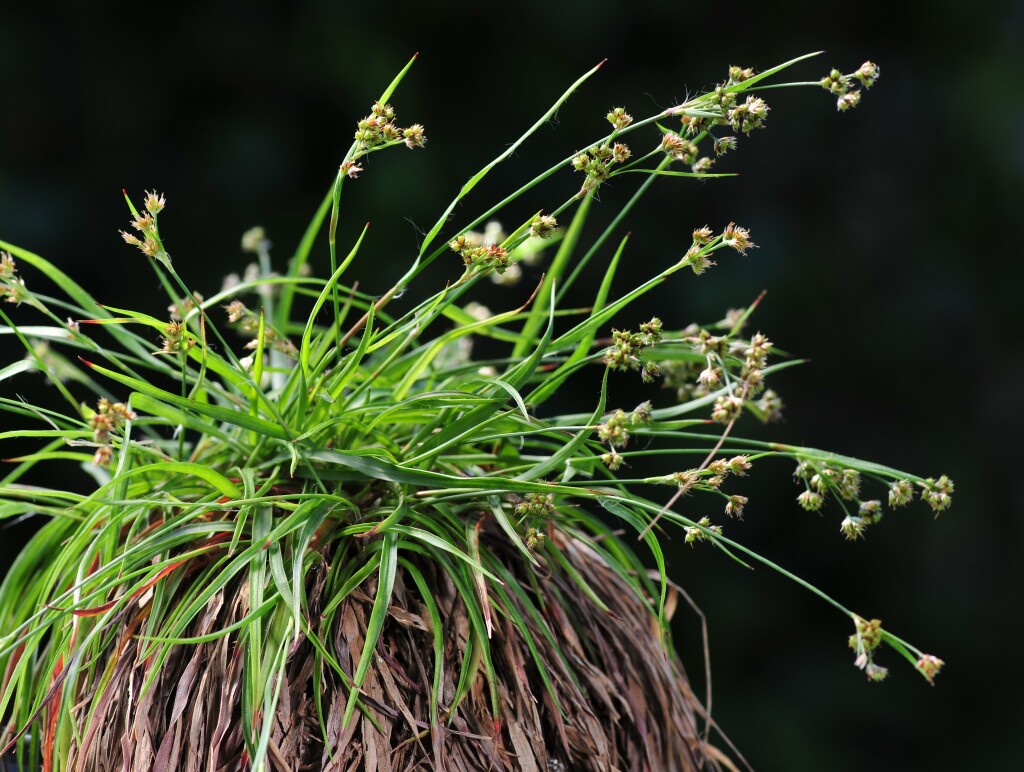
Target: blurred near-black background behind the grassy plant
[888, 248]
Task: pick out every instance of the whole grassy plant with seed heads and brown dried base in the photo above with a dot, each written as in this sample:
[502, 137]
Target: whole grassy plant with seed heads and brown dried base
[347, 540]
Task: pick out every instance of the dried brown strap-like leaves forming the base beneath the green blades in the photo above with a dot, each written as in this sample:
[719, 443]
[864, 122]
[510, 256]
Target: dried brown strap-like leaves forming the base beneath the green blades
[627, 704]
